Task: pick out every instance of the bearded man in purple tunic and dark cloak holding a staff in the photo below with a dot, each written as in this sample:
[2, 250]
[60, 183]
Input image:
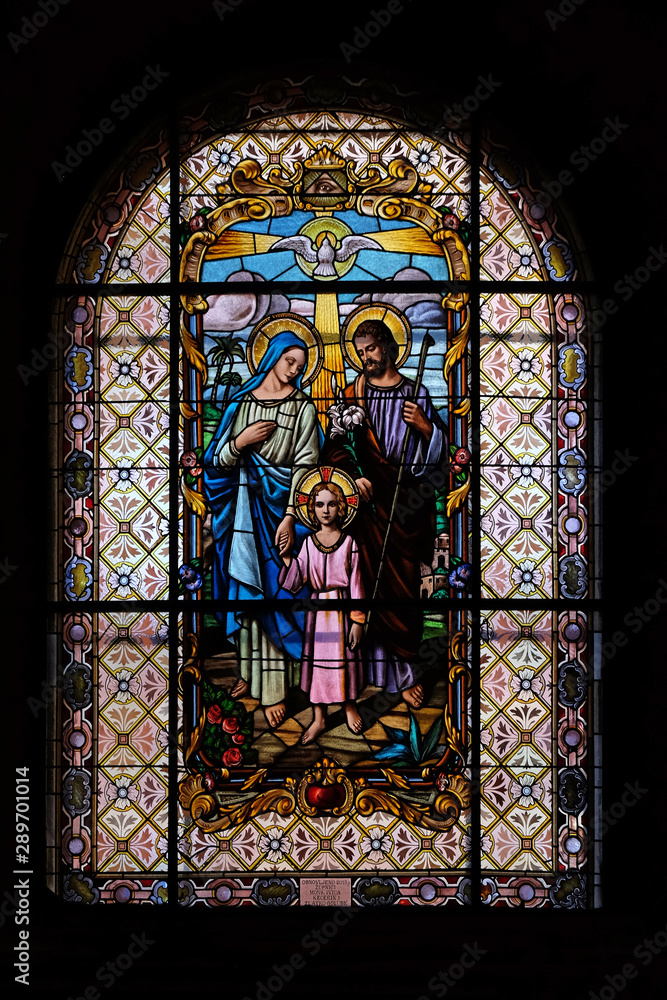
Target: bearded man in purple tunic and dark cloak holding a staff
[387, 399]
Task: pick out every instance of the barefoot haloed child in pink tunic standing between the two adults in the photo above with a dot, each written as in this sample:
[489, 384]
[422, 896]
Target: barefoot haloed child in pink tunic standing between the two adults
[328, 563]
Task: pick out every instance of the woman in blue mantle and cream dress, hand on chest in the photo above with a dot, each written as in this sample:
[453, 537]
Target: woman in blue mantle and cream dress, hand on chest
[268, 436]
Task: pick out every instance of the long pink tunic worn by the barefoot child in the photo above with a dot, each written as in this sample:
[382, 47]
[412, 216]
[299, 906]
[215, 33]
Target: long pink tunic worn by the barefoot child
[330, 671]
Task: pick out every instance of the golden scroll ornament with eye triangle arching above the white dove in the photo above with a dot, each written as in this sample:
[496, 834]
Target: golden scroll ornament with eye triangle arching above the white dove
[324, 183]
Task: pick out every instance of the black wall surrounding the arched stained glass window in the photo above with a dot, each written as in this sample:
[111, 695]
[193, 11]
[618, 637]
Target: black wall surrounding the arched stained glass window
[561, 76]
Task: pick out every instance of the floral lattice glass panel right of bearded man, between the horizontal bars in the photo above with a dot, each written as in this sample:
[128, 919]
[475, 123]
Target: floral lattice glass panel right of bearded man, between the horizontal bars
[518, 445]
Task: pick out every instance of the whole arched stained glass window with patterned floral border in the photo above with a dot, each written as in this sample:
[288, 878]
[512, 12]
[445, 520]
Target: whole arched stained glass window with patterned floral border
[325, 419]
